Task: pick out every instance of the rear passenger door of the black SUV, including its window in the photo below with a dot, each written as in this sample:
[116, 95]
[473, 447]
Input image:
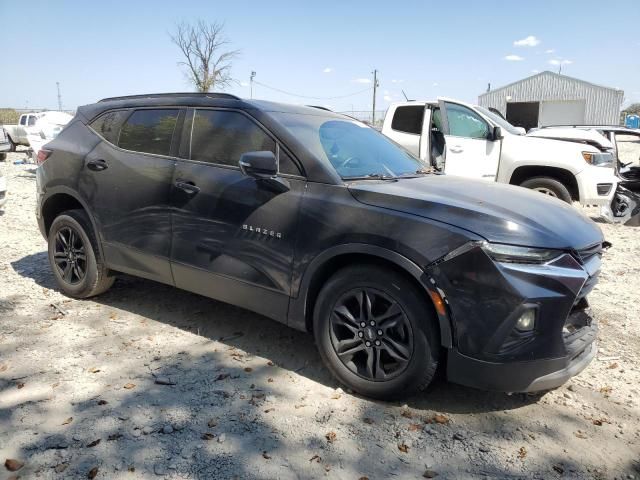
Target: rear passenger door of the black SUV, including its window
[127, 181]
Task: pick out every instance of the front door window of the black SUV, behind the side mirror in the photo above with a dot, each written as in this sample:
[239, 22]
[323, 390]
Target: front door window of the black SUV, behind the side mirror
[222, 137]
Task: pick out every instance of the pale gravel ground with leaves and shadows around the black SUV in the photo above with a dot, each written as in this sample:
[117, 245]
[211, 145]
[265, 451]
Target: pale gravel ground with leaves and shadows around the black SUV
[149, 381]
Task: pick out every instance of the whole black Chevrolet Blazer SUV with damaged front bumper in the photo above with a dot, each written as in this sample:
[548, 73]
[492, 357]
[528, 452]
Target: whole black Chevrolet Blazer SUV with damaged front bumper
[316, 220]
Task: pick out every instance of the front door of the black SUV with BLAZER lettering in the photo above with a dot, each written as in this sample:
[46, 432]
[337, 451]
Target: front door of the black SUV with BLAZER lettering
[233, 237]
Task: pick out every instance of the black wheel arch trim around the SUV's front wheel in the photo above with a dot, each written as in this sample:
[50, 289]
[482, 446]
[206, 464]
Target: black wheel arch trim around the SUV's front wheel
[298, 306]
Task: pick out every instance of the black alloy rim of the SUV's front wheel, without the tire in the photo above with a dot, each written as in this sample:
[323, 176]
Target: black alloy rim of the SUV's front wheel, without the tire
[371, 334]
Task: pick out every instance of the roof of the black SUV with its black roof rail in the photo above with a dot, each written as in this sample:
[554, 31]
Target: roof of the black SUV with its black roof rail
[197, 100]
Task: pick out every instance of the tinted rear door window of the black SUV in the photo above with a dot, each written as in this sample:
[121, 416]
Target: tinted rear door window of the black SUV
[149, 131]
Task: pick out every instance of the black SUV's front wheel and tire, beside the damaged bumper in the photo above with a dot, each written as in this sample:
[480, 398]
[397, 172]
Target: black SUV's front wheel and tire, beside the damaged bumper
[376, 333]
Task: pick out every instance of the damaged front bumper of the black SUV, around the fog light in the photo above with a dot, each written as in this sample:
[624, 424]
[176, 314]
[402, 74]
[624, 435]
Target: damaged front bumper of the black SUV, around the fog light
[485, 298]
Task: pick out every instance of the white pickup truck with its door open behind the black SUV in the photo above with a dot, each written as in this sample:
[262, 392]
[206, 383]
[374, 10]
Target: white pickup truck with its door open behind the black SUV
[470, 141]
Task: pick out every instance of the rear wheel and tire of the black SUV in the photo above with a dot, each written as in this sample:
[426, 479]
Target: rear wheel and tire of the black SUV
[75, 258]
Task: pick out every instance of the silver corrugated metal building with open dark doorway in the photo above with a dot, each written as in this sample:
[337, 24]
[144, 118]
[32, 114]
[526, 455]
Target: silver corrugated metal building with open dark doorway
[549, 98]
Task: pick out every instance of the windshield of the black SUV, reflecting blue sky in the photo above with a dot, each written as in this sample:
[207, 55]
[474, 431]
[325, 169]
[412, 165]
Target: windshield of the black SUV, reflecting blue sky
[352, 148]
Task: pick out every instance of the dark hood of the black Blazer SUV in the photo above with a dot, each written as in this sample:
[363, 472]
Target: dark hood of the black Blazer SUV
[499, 213]
